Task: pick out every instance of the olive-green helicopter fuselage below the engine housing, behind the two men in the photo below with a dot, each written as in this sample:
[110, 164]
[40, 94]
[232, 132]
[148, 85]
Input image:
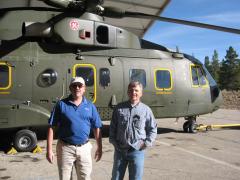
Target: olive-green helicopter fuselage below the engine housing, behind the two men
[37, 79]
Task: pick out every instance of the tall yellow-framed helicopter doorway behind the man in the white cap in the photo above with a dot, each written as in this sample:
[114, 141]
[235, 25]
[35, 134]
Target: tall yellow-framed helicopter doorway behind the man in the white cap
[88, 73]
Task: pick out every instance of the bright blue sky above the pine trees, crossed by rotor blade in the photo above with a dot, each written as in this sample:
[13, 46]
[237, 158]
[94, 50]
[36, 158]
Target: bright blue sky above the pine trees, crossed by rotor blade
[197, 41]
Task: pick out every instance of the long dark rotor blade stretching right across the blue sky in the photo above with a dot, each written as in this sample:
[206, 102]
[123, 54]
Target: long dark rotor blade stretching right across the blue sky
[118, 13]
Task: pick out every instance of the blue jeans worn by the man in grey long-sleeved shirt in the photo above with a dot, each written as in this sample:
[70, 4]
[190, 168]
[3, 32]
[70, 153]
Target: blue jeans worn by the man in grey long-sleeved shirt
[134, 159]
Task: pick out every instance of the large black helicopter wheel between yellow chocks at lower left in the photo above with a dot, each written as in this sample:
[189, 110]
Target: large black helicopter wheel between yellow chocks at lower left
[25, 140]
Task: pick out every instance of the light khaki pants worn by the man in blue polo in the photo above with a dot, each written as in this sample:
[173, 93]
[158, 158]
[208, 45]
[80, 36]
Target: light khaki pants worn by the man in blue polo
[70, 155]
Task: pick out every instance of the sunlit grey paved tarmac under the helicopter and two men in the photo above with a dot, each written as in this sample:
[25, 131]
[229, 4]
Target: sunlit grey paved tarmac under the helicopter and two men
[211, 155]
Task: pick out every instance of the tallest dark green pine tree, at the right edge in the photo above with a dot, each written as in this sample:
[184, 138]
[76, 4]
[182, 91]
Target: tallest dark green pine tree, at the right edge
[230, 71]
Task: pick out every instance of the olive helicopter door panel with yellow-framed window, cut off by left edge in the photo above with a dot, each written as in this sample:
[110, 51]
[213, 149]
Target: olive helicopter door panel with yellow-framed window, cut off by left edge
[15, 92]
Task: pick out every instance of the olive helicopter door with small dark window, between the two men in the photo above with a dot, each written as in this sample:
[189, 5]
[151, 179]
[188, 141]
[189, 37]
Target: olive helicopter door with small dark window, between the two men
[109, 85]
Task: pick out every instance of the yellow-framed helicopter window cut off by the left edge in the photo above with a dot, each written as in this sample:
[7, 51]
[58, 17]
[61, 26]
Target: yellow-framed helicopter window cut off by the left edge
[5, 76]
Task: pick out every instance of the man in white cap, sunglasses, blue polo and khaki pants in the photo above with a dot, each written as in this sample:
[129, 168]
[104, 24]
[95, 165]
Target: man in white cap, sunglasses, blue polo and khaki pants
[74, 117]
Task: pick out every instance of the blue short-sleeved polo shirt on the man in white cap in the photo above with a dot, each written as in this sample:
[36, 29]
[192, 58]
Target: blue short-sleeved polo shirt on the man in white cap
[74, 122]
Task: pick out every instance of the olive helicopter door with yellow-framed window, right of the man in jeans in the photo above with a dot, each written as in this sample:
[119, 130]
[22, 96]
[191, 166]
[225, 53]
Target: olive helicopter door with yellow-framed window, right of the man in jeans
[162, 88]
